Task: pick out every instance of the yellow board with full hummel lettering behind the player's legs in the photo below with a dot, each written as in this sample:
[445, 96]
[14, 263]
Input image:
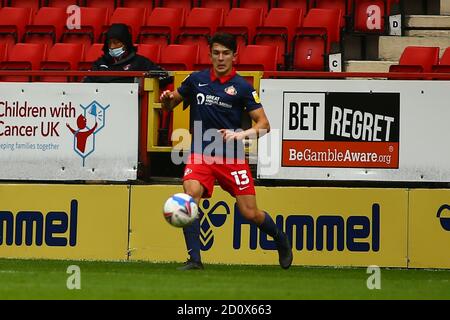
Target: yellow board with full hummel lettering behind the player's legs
[354, 227]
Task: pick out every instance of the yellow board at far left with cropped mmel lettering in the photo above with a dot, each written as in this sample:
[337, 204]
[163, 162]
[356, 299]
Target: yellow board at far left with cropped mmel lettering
[64, 221]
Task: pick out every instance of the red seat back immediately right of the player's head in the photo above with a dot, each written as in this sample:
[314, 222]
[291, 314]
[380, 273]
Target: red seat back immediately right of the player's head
[256, 57]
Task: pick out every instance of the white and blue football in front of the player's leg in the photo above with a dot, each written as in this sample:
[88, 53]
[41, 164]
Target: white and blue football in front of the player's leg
[180, 210]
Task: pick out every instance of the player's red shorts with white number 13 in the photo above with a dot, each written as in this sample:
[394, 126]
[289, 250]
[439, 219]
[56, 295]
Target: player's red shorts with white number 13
[233, 176]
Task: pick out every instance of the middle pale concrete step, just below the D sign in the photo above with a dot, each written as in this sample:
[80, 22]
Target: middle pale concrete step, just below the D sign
[391, 47]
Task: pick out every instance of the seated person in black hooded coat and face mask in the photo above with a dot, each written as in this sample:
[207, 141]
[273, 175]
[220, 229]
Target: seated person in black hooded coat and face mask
[121, 55]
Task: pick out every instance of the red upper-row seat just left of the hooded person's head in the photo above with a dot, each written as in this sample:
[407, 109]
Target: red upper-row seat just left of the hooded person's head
[92, 22]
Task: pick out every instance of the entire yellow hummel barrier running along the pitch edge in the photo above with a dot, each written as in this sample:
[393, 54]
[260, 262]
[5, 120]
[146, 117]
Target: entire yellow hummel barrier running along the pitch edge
[353, 227]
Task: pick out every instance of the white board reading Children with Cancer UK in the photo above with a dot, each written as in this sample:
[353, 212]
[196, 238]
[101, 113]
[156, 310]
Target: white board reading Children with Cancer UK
[68, 131]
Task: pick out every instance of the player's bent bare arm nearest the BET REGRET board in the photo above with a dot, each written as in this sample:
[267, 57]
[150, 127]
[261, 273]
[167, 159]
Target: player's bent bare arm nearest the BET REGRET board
[260, 127]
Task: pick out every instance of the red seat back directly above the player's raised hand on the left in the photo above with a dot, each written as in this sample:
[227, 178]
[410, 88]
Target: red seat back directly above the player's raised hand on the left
[179, 57]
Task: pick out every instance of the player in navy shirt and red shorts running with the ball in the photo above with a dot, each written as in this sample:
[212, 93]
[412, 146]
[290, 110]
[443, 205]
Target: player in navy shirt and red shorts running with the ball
[218, 97]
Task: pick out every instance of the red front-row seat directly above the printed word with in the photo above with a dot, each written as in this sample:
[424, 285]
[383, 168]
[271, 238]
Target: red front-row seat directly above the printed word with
[63, 57]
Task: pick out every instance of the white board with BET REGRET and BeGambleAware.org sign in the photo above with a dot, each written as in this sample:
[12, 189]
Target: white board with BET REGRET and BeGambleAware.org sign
[379, 130]
